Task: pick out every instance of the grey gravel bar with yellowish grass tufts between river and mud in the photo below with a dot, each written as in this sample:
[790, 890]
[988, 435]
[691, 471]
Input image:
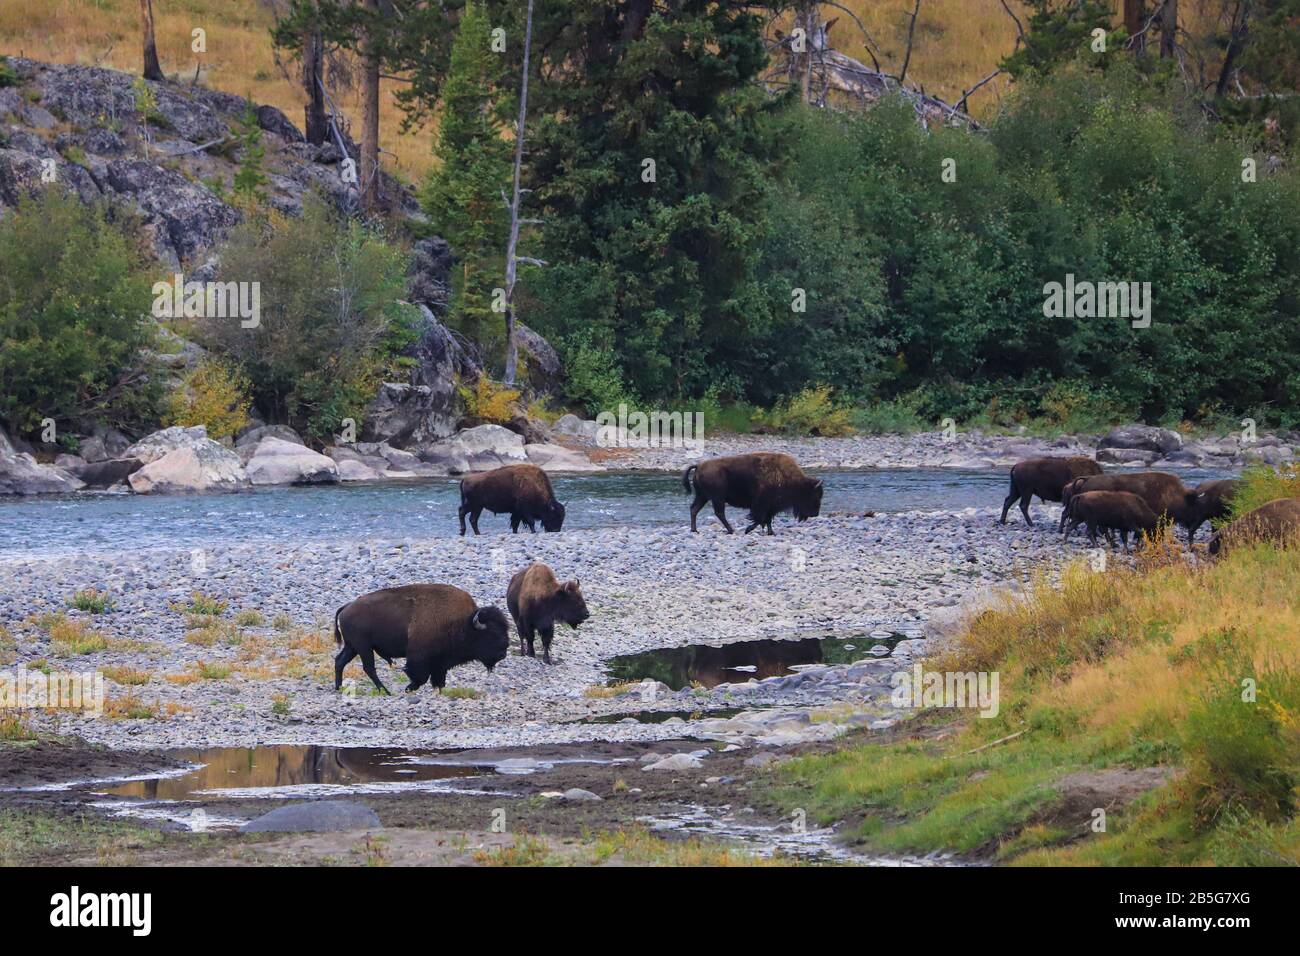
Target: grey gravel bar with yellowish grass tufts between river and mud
[261, 669]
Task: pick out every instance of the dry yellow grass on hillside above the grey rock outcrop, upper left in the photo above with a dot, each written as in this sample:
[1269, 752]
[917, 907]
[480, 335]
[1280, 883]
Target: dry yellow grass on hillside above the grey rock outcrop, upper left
[240, 58]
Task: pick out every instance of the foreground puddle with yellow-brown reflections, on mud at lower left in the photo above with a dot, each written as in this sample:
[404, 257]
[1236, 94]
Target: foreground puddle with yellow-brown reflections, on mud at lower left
[294, 771]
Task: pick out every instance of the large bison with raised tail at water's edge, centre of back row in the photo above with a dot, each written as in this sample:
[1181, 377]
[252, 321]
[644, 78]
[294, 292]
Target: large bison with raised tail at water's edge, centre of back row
[764, 482]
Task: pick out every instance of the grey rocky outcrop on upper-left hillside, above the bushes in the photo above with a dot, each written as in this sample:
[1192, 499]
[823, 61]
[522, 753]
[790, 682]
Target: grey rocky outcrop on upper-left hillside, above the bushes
[167, 149]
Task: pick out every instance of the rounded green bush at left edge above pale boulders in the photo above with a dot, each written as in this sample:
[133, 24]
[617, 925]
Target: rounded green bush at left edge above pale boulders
[75, 317]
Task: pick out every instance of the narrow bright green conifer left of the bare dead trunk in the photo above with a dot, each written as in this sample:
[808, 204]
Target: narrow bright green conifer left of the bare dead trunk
[463, 197]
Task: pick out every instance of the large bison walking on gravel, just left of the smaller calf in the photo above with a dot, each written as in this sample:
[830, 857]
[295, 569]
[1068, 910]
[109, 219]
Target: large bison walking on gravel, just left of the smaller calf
[435, 628]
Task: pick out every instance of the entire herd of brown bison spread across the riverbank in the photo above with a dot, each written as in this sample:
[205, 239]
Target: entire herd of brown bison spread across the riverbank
[437, 628]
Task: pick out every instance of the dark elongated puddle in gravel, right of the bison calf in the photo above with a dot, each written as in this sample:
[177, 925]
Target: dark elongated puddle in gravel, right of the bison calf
[710, 665]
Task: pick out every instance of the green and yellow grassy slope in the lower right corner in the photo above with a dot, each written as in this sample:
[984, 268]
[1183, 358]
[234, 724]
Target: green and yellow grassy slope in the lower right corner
[1129, 669]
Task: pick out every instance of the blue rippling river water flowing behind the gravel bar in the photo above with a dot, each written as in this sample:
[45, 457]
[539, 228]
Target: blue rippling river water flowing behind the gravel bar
[103, 522]
